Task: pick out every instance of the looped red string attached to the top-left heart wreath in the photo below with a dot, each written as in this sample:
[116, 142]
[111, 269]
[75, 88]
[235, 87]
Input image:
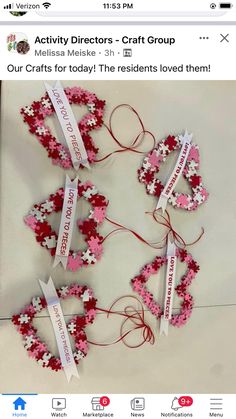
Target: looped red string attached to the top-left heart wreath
[135, 143]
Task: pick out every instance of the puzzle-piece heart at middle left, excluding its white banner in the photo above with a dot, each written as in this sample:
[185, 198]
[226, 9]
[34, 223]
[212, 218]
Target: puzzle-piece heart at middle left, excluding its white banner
[36, 220]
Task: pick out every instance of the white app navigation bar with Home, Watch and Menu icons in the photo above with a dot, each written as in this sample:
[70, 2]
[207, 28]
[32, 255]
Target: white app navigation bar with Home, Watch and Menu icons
[120, 406]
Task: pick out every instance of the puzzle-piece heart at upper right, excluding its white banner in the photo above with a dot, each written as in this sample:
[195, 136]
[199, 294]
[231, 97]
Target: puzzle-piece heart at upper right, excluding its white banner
[151, 166]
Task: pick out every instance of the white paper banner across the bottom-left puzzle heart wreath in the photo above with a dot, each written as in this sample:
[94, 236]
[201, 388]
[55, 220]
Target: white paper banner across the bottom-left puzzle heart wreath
[60, 329]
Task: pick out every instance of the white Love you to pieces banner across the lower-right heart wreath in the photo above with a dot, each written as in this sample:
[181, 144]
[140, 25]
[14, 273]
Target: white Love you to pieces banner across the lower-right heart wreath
[170, 286]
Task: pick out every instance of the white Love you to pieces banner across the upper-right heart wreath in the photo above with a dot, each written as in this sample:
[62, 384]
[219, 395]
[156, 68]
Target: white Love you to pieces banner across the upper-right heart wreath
[177, 171]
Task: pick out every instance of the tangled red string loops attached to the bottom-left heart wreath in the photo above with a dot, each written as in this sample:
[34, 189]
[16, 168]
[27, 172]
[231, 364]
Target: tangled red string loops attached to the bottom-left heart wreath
[136, 317]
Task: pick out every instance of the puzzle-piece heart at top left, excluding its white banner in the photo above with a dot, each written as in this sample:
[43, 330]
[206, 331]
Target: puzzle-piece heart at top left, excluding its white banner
[35, 115]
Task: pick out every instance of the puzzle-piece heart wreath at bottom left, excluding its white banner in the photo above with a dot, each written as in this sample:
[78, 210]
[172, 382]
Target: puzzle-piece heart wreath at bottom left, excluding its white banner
[35, 347]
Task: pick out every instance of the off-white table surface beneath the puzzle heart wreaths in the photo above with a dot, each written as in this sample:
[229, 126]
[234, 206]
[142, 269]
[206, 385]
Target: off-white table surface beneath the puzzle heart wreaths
[199, 357]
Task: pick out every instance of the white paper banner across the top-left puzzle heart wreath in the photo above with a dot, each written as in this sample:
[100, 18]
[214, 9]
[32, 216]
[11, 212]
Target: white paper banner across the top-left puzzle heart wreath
[69, 125]
